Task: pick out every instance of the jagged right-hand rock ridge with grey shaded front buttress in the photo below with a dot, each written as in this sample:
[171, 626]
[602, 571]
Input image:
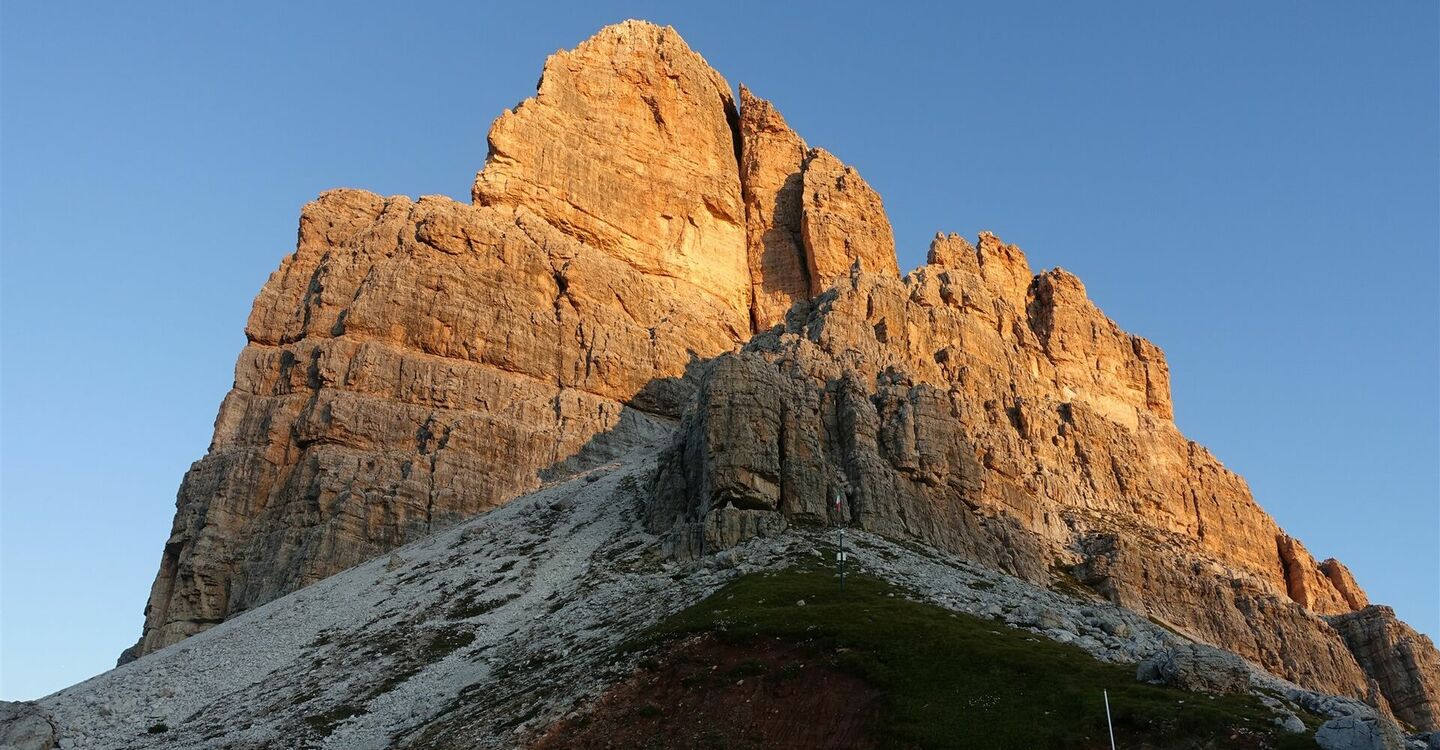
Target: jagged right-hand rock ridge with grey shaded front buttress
[997, 414]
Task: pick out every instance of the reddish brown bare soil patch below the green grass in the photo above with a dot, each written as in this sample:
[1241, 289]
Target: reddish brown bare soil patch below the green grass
[709, 695]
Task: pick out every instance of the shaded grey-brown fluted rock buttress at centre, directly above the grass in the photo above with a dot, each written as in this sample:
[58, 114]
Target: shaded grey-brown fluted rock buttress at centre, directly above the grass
[768, 447]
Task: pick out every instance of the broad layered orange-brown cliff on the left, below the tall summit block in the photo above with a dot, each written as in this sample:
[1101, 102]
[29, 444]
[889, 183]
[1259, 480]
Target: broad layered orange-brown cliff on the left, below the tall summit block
[415, 363]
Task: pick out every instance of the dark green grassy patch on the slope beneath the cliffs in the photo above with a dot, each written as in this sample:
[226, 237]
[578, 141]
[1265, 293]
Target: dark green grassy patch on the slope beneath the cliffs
[957, 682]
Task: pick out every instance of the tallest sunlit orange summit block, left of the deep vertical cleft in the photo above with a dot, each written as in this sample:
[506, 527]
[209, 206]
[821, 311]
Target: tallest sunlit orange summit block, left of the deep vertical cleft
[629, 146]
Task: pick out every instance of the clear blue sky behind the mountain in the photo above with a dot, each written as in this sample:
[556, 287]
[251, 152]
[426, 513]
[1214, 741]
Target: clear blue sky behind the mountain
[1254, 186]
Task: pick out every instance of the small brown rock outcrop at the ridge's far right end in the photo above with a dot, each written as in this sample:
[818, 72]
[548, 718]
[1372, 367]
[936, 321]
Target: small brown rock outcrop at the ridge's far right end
[1403, 663]
